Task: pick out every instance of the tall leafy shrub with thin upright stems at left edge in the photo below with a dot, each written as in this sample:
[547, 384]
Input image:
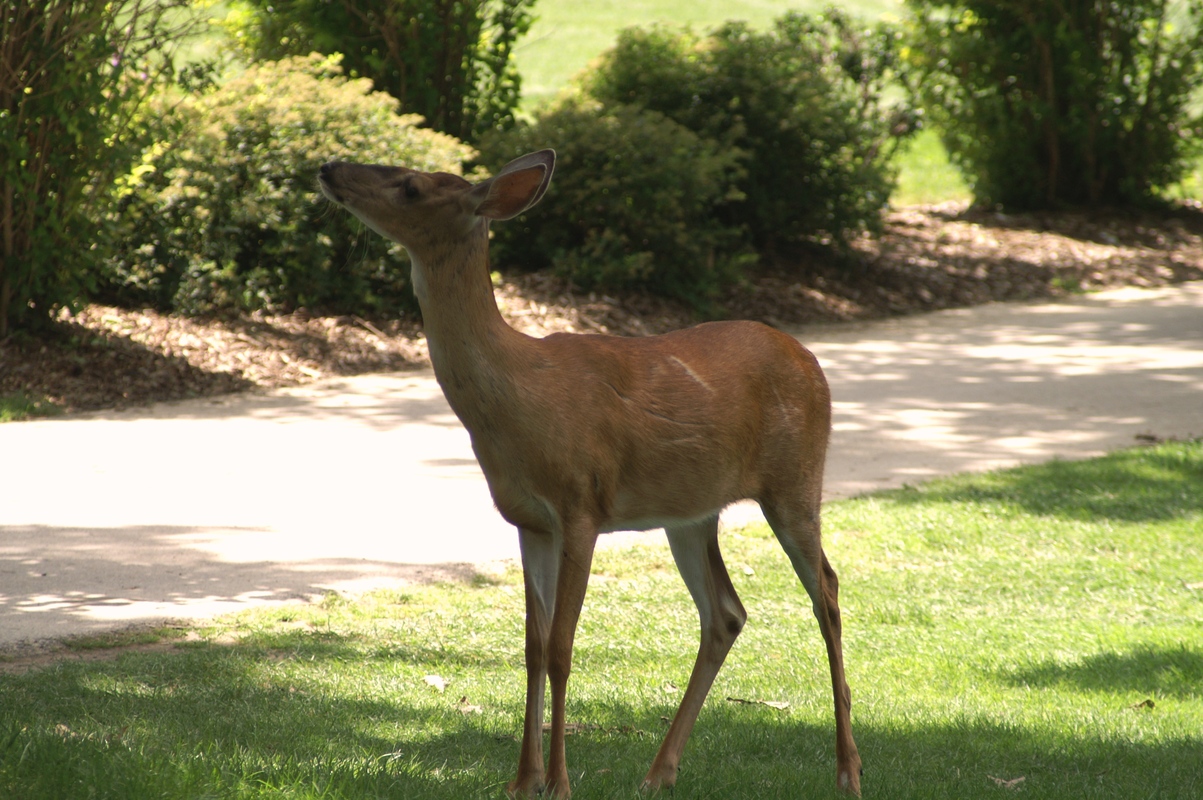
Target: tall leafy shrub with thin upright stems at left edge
[70, 76]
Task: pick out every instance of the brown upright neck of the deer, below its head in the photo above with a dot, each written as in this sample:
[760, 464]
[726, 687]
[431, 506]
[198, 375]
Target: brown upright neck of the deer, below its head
[472, 348]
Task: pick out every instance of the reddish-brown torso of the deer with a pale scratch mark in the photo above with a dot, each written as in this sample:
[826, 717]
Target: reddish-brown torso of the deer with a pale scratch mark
[672, 426]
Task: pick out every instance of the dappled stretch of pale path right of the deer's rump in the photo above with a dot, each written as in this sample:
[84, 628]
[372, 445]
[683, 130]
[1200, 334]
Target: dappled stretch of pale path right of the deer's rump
[974, 390]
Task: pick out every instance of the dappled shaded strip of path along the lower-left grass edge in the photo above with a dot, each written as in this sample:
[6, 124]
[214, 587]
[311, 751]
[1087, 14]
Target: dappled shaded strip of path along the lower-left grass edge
[68, 580]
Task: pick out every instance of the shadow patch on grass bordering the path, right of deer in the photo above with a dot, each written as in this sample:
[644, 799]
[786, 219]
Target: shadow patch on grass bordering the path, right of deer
[1137, 485]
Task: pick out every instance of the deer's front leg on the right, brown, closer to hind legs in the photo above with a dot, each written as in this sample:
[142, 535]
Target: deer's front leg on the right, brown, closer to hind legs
[574, 577]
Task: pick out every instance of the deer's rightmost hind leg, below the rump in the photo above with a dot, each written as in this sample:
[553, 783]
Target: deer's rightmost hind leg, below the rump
[797, 525]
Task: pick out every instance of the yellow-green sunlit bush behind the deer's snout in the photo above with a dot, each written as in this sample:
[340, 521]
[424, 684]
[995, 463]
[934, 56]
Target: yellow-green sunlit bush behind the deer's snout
[223, 215]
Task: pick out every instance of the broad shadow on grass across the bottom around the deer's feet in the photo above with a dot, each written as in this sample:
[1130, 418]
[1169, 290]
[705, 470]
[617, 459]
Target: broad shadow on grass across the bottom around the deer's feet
[194, 722]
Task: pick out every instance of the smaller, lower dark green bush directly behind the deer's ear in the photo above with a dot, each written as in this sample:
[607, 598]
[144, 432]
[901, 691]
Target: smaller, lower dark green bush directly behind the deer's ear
[632, 204]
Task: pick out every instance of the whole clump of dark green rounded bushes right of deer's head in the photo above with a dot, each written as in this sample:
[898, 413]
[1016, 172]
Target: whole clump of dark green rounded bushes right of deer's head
[690, 152]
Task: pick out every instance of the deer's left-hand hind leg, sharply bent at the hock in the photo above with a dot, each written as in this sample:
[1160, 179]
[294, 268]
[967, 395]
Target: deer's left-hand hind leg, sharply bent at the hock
[696, 552]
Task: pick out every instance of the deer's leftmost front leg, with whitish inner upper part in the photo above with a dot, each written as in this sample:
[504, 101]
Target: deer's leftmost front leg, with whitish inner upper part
[541, 570]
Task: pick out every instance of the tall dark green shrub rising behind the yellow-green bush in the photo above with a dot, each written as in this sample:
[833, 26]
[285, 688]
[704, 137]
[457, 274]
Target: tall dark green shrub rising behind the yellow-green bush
[447, 62]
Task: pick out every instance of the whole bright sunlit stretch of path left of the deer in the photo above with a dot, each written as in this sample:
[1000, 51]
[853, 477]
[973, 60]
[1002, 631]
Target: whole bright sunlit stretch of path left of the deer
[191, 509]
